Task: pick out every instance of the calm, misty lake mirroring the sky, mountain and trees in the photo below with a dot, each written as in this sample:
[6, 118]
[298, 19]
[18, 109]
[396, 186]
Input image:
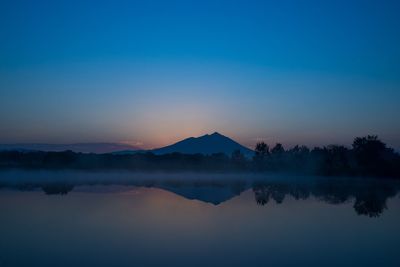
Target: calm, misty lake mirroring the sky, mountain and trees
[68, 218]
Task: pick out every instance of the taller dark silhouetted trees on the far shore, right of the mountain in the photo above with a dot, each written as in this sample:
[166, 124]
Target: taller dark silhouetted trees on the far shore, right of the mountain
[367, 156]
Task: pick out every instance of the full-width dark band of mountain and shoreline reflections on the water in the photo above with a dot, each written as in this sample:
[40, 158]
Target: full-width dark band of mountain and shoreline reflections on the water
[369, 196]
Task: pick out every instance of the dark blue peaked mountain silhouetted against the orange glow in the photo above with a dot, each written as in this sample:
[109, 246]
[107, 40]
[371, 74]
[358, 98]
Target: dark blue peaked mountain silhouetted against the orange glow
[206, 144]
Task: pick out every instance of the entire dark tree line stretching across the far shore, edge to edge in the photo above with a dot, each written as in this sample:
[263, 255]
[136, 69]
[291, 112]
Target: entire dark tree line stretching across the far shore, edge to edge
[368, 156]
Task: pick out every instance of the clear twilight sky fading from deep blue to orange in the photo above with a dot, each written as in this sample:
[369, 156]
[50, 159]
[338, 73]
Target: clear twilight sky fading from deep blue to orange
[150, 73]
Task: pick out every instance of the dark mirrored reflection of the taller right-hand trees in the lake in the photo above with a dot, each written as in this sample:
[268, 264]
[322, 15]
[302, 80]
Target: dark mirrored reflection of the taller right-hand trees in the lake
[370, 197]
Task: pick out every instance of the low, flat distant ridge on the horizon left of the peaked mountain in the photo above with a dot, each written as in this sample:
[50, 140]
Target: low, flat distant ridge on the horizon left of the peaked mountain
[78, 147]
